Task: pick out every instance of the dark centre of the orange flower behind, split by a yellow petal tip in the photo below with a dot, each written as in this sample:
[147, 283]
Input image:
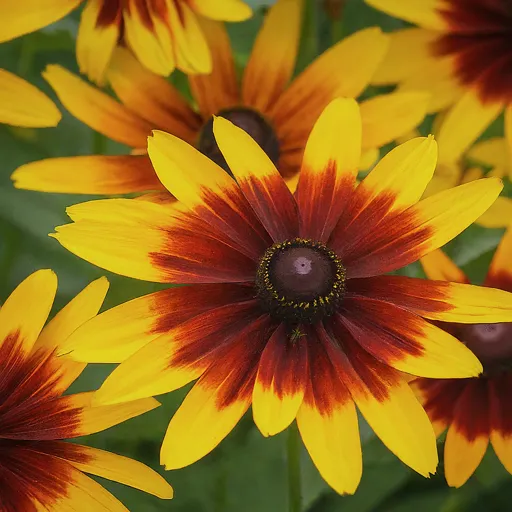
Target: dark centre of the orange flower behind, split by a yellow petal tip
[251, 122]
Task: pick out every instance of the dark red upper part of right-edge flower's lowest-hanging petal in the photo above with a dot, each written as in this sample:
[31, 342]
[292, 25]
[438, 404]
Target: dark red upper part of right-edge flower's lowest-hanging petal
[471, 412]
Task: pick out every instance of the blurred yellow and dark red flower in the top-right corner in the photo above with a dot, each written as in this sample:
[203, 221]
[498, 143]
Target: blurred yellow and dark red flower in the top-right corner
[461, 52]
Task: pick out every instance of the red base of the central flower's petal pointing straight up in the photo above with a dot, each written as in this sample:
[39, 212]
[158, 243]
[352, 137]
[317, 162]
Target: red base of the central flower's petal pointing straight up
[321, 200]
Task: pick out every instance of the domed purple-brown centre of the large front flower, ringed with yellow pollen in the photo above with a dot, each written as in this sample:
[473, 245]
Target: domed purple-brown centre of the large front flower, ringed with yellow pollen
[300, 281]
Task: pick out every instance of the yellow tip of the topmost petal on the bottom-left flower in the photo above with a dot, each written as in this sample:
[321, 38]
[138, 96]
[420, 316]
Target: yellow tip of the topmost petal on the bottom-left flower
[26, 310]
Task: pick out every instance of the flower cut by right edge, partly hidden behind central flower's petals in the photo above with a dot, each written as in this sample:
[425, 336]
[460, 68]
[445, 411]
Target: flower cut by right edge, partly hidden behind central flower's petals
[475, 411]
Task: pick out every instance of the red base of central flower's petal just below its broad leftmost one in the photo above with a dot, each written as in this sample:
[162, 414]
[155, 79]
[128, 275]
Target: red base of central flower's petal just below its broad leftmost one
[175, 306]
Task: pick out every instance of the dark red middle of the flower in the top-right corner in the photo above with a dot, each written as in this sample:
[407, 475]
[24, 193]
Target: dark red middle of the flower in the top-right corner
[479, 38]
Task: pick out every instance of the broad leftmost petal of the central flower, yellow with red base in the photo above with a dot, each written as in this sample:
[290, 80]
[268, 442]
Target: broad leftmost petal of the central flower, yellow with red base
[151, 241]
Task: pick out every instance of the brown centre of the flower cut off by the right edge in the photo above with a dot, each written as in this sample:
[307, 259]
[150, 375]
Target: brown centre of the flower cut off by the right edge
[491, 343]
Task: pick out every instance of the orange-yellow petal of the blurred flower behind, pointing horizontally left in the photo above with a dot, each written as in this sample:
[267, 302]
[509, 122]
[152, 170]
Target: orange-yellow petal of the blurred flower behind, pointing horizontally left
[95, 174]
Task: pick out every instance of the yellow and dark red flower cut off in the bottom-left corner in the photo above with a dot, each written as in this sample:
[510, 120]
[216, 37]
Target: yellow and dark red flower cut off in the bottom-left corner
[38, 470]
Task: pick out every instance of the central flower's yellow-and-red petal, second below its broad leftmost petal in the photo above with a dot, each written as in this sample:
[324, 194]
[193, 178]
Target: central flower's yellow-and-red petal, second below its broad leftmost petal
[178, 357]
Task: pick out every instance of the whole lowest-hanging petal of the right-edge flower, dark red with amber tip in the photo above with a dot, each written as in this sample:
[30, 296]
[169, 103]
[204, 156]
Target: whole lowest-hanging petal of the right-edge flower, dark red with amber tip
[468, 435]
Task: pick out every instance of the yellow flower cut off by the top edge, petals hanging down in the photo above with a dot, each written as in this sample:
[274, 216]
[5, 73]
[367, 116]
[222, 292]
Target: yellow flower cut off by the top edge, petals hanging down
[163, 35]
